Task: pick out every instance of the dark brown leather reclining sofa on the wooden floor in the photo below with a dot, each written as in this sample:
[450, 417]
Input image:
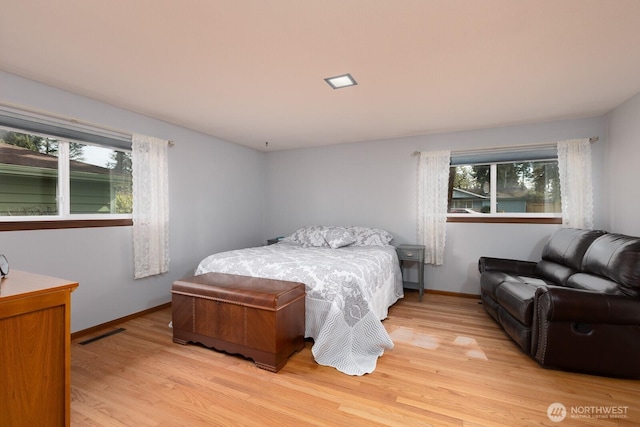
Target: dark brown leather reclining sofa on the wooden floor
[577, 309]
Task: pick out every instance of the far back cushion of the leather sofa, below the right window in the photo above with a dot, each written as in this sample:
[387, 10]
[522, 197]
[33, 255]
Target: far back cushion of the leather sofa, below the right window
[563, 253]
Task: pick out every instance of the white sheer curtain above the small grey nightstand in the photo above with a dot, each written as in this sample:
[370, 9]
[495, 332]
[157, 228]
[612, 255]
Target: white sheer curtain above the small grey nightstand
[433, 188]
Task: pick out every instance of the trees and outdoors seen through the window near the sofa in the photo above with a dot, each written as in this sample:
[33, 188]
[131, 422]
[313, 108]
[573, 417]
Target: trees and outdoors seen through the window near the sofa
[520, 187]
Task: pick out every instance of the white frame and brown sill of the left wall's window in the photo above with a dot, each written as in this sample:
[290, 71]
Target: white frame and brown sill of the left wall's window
[64, 219]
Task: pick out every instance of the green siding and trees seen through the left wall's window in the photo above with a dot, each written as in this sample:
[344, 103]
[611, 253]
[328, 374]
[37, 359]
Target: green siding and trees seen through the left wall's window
[99, 177]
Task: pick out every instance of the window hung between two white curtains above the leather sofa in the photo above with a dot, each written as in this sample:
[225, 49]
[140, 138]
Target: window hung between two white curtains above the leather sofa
[514, 183]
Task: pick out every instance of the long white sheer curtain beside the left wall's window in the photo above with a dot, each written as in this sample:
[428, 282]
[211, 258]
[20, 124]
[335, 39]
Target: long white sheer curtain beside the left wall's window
[150, 206]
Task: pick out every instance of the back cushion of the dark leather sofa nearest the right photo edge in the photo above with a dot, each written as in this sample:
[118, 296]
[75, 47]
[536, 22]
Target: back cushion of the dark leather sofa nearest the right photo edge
[617, 258]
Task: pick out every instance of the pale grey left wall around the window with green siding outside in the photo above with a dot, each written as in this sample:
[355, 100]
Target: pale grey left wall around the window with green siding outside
[216, 203]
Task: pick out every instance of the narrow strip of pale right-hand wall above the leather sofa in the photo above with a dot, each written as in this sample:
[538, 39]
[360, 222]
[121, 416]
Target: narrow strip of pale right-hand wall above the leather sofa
[623, 202]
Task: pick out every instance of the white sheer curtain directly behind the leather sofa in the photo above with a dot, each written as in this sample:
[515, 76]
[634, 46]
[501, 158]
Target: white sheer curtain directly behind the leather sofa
[576, 189]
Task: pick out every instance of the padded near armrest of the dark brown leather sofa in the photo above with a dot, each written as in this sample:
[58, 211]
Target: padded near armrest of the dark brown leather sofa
[558, 304]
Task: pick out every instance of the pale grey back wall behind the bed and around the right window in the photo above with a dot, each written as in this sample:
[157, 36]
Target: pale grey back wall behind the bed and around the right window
[374, 184]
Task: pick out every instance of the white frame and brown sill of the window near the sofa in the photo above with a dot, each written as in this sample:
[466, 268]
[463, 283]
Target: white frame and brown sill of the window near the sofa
[505, 217]
